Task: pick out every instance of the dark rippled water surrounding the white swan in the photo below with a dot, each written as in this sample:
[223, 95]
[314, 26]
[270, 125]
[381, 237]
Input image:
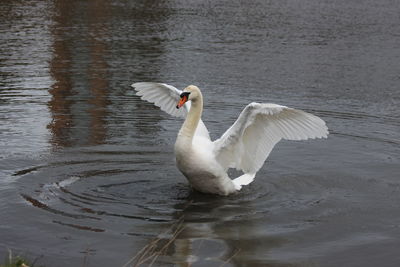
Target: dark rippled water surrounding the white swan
[87, 174]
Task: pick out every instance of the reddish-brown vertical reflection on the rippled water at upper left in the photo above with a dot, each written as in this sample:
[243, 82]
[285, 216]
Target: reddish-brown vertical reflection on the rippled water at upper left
[69, 96]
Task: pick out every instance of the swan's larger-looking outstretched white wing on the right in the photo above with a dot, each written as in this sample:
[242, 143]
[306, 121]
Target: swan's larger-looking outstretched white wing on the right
[248, 142]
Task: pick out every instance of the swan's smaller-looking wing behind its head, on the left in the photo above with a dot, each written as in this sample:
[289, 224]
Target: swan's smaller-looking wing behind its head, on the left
[162, 95]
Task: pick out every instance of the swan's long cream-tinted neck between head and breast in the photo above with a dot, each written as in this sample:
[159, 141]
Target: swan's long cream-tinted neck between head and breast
[192, 120]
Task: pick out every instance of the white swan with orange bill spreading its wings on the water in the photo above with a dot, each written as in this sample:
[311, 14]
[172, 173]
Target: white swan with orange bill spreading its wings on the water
[244, 146]
